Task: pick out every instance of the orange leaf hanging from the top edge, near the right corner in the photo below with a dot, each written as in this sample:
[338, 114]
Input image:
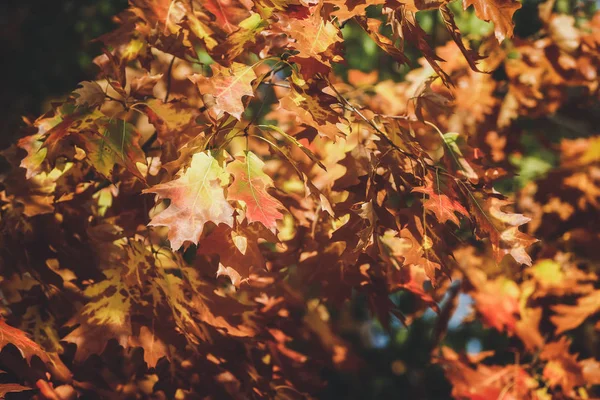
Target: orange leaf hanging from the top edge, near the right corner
[500, 12]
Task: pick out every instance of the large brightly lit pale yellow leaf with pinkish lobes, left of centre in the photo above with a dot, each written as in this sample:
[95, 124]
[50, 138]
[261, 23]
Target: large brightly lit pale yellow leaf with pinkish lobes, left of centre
[197, 197]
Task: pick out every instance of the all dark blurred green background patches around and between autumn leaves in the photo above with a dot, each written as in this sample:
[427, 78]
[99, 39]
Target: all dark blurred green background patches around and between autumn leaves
[47, 49]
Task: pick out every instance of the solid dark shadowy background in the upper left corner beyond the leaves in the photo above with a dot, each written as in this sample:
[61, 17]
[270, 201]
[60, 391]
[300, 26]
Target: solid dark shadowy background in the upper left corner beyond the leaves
[47, 50]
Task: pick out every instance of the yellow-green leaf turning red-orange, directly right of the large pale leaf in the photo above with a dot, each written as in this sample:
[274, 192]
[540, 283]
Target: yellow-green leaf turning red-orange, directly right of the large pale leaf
[250, 187]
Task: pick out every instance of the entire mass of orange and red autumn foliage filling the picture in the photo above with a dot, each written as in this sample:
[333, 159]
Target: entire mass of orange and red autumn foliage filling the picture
[188, 225]
